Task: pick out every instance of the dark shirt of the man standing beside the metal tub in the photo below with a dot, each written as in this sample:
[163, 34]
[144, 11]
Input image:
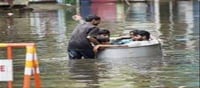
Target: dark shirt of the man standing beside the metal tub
[79, 39]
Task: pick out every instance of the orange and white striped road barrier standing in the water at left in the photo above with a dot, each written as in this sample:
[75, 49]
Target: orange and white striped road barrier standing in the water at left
[31, 63]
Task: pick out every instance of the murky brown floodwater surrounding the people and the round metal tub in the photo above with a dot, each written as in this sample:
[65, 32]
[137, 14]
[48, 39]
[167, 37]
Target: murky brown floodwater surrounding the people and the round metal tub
[175, 23]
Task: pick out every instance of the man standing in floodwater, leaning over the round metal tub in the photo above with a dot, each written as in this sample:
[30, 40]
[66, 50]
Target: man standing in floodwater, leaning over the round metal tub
[79, 45]
